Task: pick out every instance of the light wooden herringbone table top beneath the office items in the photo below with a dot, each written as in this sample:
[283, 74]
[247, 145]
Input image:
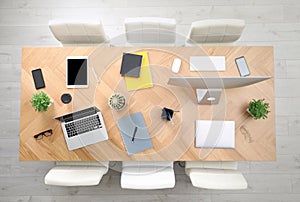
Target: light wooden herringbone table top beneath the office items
[171, 142]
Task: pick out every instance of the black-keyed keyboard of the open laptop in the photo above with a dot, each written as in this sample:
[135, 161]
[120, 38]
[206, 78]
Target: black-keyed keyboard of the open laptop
[83, 125]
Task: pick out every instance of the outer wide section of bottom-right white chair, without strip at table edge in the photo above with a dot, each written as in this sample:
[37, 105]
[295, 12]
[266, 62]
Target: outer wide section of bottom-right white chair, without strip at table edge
[217, 179]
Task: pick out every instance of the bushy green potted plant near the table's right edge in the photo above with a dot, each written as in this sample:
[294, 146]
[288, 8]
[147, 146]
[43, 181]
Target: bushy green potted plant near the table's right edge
[258, 109]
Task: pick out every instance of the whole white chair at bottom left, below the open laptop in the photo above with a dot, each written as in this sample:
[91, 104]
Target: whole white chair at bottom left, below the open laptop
[76, 173]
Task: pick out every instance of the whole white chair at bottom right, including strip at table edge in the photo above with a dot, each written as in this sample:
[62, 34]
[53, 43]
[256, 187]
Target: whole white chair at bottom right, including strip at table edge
[215, 175]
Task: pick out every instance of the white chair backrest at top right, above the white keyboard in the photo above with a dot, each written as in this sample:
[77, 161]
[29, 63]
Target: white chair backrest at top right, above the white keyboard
[215, 31]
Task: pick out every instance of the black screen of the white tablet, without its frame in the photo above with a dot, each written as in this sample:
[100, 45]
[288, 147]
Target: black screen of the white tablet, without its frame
[77, 72]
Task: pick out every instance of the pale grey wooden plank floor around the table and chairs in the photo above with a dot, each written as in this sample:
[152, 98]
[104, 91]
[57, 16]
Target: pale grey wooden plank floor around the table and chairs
[268, 22]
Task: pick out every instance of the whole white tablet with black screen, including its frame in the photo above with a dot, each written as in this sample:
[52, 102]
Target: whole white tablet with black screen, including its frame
[77, 71]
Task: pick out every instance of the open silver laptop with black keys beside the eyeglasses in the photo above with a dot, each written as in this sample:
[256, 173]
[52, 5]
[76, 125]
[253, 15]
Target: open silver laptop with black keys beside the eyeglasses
[83, 128]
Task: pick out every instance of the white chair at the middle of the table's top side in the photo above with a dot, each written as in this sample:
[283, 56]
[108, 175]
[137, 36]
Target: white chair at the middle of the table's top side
[150, 31]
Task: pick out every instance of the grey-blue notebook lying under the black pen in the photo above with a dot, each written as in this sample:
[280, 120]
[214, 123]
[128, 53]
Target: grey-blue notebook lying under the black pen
[142, 140]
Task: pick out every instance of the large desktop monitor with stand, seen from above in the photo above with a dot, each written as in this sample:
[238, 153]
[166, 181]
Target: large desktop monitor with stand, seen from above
[209, 88]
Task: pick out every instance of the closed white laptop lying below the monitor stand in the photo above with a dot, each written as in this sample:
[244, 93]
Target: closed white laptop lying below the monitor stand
[215, 134]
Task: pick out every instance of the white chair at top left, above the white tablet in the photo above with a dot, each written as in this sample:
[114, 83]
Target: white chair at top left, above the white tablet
[71, 33]
